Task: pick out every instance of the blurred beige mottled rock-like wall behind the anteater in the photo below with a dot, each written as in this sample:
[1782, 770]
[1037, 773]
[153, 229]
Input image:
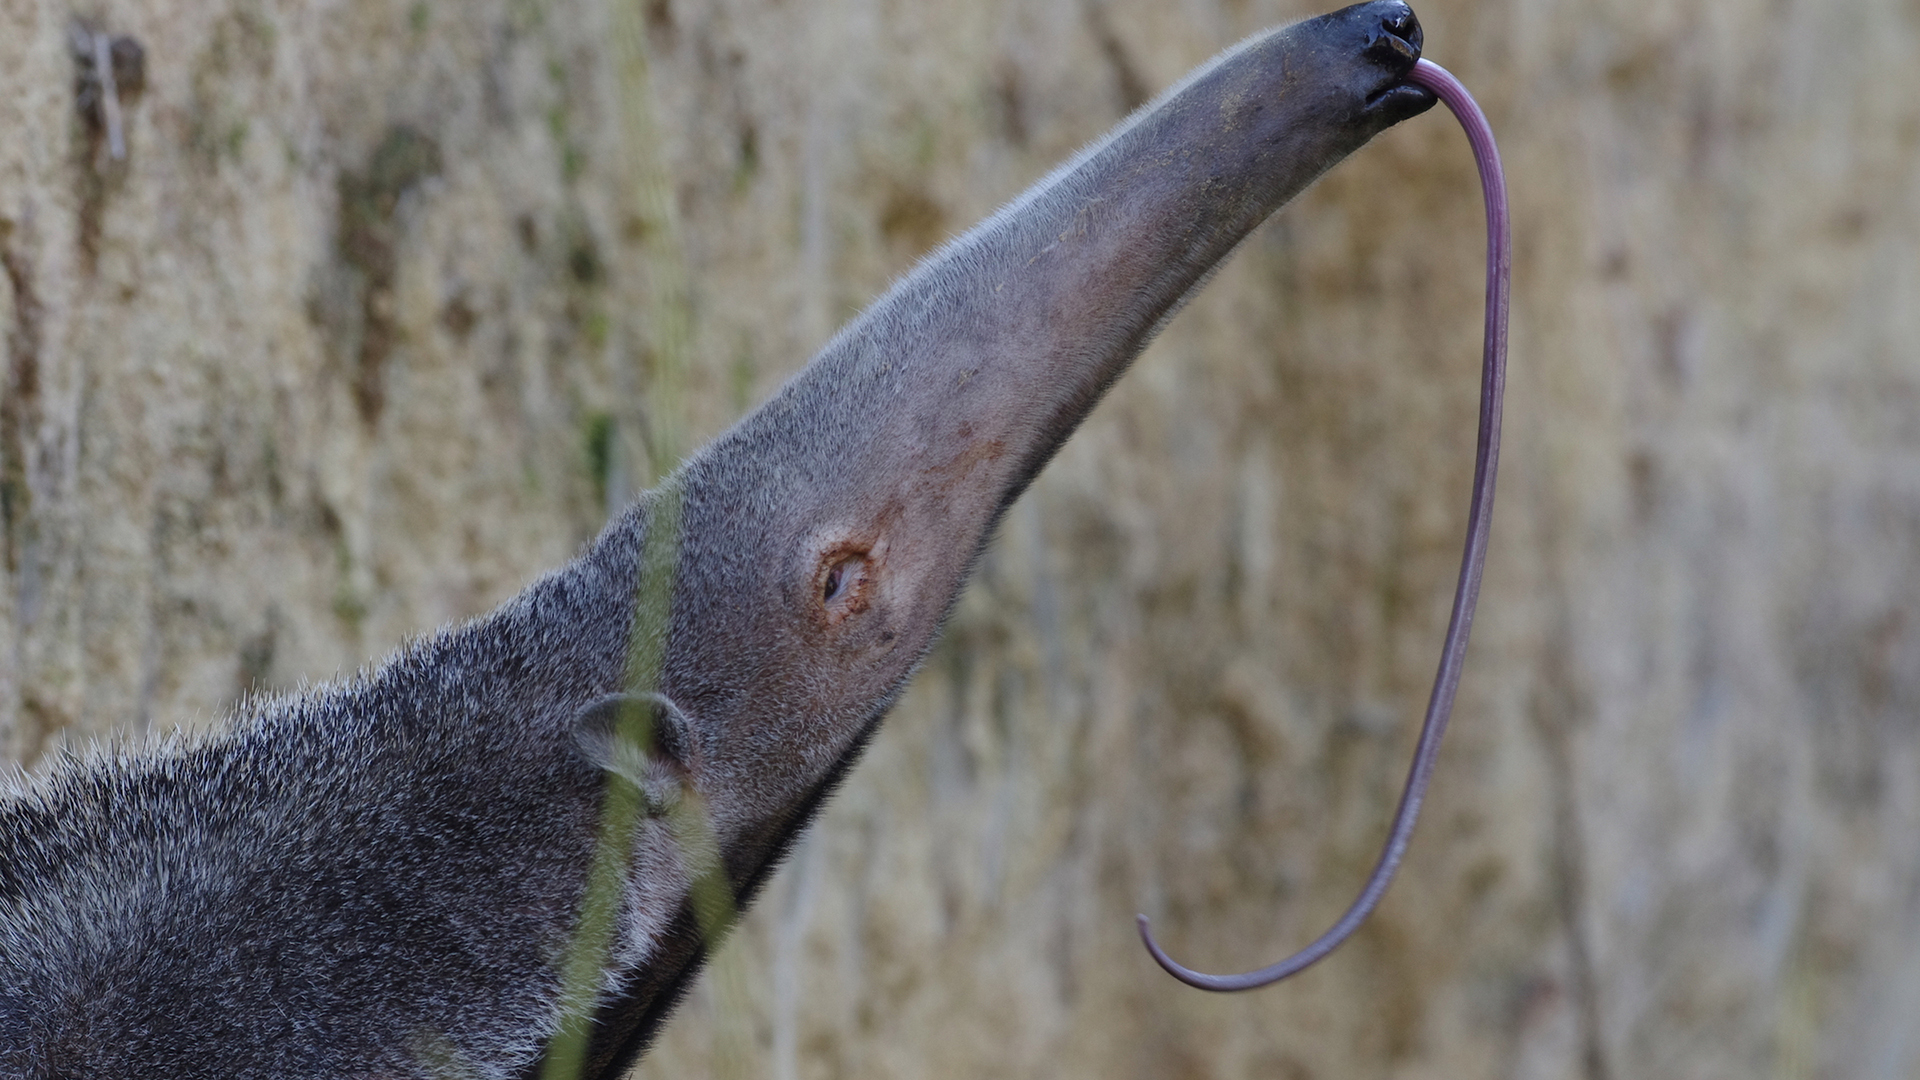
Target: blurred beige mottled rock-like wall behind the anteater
[391, 301]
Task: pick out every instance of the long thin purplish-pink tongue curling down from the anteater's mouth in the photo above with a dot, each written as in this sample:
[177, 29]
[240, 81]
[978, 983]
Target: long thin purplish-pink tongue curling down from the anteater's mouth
[1479, 514]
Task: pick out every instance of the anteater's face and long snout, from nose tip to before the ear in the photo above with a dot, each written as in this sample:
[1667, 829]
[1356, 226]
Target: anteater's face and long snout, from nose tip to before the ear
[842, 518]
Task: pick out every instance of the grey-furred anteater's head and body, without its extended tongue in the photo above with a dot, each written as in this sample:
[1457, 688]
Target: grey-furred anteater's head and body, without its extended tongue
[383, 877]
